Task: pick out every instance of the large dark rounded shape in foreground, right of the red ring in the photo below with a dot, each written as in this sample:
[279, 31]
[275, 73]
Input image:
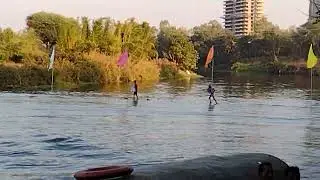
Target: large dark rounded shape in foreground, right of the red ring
[234, 167]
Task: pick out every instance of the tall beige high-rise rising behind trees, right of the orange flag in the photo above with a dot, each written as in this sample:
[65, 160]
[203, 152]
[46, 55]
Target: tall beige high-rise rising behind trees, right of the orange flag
[240, 15]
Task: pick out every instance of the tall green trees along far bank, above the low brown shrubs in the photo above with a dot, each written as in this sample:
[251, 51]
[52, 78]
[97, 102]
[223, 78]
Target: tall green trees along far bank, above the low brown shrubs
[76, 38]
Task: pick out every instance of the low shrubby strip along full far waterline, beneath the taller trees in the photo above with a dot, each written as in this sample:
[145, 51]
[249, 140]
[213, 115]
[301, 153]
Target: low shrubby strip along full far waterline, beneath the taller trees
[99, 72]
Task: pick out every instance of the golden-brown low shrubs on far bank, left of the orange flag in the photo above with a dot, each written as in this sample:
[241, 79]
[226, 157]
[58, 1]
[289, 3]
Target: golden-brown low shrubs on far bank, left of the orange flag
[93, 71]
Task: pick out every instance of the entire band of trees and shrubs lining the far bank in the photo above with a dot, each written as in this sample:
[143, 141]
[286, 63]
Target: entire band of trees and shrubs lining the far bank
[80, 41]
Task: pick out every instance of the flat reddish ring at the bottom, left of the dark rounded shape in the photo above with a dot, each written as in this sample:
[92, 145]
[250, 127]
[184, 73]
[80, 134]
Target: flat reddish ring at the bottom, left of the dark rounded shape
[103, 172]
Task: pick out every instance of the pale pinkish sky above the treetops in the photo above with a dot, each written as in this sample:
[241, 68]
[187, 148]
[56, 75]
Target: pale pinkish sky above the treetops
[187, 13]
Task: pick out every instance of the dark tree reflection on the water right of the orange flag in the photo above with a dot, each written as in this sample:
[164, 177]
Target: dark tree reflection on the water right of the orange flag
[257, 85]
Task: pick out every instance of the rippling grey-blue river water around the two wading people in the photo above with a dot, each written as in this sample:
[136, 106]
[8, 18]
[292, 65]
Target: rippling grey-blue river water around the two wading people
[52, 135]
